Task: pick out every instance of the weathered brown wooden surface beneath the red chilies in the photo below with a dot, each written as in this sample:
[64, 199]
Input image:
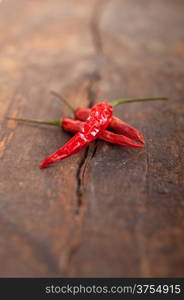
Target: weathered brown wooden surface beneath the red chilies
[108, 211]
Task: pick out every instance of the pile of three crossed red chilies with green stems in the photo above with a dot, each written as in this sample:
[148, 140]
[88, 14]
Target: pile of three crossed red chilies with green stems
[91, 124]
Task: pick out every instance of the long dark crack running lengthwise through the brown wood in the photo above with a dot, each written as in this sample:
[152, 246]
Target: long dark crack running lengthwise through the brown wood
[89, 152]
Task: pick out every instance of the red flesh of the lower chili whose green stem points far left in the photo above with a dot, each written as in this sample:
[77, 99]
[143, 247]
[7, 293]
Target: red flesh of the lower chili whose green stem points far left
[108, 136]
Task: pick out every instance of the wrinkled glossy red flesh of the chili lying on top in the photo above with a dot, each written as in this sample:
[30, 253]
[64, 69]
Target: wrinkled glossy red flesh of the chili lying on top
[99, 118]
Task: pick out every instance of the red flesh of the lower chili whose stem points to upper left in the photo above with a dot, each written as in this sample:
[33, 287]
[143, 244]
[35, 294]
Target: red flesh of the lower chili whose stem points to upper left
[115, 123]
